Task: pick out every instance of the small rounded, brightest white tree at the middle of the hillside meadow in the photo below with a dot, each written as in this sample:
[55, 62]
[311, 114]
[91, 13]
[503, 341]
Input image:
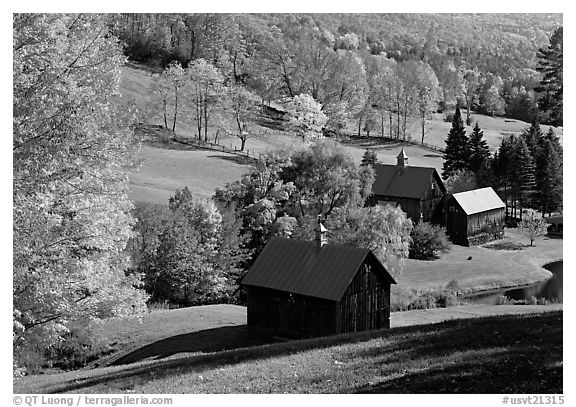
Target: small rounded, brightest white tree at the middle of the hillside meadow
[306, 117]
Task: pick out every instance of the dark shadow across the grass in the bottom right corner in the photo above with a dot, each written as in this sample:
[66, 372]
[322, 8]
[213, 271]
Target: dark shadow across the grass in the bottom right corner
[490, 358]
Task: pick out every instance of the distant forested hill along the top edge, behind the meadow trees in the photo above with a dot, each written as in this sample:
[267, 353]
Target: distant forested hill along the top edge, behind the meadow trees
[486, 62]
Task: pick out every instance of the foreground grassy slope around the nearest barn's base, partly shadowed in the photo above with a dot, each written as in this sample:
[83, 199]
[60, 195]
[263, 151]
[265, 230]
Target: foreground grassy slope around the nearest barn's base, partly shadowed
[508, 354]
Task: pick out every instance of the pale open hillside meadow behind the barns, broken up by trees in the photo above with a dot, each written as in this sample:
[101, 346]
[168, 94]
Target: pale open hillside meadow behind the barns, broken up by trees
[164, 170]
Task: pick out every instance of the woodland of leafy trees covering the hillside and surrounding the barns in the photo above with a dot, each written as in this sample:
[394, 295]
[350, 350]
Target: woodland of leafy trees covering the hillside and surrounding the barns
[83, 252]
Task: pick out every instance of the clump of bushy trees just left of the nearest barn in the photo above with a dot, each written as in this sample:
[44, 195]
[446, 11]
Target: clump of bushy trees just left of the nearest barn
[189, 252]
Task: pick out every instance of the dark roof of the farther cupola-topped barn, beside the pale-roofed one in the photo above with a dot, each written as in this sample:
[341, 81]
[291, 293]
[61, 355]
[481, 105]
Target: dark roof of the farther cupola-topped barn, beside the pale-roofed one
[407, 182]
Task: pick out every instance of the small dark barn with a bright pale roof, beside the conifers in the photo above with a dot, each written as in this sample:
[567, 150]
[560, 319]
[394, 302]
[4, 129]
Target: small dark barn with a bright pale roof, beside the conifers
[475, 217]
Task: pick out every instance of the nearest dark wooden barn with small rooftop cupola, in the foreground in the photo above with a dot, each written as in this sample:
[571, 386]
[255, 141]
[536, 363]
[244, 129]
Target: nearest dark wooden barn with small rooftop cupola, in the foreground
[302, 288]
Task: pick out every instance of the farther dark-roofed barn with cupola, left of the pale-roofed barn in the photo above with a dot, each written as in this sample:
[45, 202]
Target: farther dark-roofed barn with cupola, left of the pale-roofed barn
[417, 190]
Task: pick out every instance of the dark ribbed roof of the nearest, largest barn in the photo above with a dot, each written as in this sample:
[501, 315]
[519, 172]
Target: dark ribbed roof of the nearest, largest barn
[301, 267]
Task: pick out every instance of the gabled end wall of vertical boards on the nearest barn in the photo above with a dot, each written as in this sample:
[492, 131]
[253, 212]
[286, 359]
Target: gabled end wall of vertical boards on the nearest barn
[366, 303]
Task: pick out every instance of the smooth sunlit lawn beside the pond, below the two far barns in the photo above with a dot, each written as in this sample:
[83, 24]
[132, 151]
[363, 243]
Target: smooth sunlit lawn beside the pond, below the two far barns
[504, 263]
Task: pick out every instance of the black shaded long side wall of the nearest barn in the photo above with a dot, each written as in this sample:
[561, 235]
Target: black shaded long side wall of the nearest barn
[290, 315]
